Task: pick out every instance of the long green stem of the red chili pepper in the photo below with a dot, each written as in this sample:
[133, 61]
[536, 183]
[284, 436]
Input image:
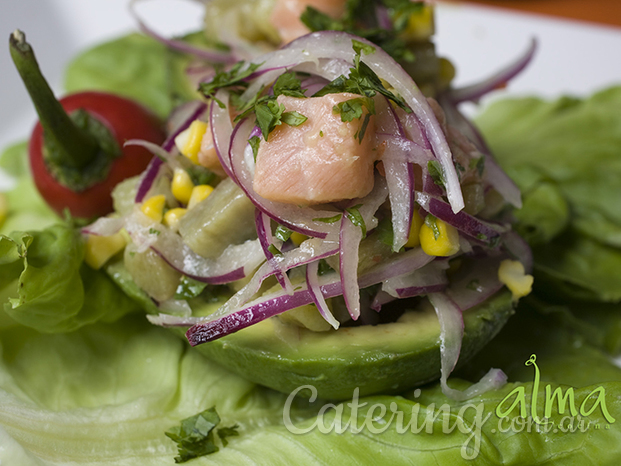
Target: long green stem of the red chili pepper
[76, 147]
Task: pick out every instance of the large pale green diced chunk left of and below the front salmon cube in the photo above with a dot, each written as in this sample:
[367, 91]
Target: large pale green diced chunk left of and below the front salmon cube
[225, 217]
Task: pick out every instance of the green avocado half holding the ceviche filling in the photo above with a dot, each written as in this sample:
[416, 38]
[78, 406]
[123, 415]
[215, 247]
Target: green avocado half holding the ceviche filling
[386, 358]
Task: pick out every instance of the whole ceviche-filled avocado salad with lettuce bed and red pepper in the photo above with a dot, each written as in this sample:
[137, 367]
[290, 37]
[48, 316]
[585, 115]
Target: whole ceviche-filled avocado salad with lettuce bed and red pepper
[307, 211]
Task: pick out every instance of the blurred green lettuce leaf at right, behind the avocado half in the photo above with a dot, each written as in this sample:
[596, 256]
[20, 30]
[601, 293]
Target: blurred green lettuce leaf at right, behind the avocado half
[564, 155]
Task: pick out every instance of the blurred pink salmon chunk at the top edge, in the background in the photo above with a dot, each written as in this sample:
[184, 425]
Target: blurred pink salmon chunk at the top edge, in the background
[285, 16]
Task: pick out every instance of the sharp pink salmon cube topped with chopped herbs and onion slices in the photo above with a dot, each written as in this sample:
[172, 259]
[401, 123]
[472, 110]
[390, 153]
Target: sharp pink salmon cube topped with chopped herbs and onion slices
[320, 161]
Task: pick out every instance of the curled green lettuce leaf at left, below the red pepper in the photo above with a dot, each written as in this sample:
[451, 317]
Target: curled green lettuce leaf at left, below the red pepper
[49, 287]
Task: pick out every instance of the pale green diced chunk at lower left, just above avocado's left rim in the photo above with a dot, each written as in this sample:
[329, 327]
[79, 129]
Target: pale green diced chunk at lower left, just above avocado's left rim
[151, 273]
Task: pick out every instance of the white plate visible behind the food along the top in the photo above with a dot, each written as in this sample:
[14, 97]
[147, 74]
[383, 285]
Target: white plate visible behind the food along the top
[573, 57]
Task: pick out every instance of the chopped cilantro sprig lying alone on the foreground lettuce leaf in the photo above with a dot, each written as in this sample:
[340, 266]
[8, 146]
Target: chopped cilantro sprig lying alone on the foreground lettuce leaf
[195, 435]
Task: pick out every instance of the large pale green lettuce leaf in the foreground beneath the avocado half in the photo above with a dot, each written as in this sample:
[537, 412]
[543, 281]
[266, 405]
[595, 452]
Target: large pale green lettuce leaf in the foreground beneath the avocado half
[107, 394]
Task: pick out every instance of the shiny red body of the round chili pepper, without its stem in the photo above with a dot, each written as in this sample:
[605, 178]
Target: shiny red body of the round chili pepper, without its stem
[125, 119]
